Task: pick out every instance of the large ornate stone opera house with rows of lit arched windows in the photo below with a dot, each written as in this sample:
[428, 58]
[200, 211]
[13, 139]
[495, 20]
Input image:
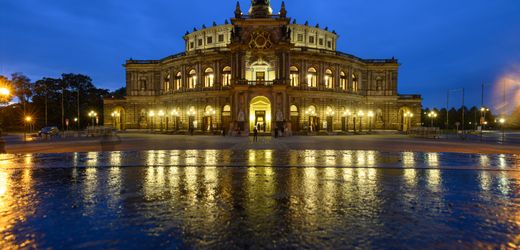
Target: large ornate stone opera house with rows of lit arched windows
[263, 70]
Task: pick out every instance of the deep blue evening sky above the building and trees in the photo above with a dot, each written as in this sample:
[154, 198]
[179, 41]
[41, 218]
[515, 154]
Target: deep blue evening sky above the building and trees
[441, 44]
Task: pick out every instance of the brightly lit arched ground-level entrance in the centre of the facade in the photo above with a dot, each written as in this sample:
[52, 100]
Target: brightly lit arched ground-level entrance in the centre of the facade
[260, 114]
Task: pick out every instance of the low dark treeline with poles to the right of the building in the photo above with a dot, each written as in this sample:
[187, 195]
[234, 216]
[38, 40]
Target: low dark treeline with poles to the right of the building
[472, 118]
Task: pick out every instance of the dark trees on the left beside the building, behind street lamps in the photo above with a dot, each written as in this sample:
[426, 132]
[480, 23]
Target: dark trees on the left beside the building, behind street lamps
[51, 101]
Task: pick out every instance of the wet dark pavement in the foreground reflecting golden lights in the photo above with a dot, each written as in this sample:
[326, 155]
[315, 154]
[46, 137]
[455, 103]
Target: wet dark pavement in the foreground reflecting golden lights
[259, 199]
